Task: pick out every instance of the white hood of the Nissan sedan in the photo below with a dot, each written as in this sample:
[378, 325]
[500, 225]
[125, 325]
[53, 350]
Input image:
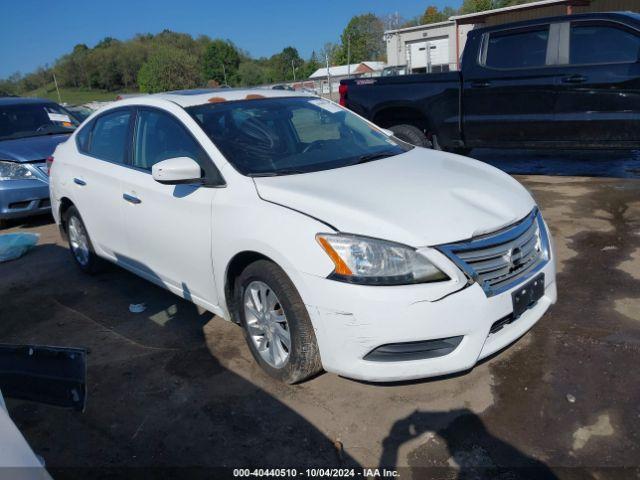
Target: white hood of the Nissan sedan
[419, 198]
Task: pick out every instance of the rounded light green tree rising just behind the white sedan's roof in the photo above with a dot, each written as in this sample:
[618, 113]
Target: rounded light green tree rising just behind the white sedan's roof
[169, 68]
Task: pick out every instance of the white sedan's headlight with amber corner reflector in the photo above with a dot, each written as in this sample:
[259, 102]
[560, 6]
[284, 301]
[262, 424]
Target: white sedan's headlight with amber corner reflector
[370, 261]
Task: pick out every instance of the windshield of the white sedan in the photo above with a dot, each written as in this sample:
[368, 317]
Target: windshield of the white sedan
[281, 136]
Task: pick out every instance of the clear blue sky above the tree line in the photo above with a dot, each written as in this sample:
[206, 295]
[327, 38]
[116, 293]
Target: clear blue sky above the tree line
[36, 32]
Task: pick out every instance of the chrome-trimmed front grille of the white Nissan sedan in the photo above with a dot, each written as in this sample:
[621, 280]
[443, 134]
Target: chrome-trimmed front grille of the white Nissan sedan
[500, 260]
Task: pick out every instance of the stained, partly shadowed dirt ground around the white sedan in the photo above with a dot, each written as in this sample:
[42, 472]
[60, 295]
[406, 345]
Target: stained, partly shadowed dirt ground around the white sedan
[174, 387]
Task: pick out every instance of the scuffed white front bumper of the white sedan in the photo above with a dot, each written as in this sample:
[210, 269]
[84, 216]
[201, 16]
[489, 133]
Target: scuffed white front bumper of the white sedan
[357, 319]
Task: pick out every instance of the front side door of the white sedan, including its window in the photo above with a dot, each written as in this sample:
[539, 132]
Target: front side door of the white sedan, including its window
[169, 227]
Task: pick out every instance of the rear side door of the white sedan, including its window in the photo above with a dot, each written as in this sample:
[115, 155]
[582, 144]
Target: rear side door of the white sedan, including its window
[96, 178]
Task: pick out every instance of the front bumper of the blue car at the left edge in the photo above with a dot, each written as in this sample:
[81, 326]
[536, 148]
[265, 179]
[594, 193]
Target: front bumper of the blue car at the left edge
[23, 198]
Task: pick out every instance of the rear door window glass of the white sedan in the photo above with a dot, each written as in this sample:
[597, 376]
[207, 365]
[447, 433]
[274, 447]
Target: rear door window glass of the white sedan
[110, 135]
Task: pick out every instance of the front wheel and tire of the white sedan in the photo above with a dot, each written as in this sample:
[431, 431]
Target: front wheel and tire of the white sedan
[276, 323]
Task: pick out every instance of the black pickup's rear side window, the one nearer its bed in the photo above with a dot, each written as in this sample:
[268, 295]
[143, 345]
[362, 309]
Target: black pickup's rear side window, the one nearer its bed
[517, 49]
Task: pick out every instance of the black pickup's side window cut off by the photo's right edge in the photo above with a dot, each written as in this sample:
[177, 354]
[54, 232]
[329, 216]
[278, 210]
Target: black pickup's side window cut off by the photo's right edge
[594, 43]
